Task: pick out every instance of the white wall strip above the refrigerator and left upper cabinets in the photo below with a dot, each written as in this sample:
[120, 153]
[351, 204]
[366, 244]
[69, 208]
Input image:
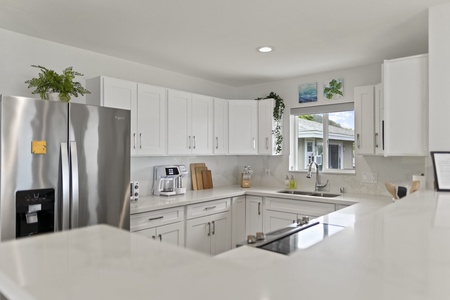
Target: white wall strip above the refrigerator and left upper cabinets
[19, 52]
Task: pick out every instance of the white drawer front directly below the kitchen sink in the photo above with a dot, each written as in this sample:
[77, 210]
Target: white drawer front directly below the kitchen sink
[308, 208]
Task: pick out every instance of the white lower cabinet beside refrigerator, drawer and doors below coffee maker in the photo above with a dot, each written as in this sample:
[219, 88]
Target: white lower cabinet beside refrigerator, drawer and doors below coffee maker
[165, 225]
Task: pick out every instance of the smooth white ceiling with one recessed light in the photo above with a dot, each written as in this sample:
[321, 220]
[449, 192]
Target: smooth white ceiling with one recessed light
[217, 39]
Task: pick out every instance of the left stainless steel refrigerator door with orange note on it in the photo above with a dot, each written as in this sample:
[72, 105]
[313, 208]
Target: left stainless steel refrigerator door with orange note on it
[24, 121]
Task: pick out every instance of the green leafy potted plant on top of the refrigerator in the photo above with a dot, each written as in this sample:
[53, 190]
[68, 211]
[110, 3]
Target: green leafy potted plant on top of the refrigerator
[51, 82]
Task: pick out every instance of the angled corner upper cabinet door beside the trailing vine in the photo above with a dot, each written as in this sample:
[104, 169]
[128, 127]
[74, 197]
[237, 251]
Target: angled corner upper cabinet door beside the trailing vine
[243, 131]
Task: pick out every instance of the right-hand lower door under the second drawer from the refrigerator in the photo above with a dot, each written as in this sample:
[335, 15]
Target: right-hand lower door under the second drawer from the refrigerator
[220, 233]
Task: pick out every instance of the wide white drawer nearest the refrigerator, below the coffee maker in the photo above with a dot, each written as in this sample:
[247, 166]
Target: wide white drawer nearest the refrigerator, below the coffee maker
[156, 218]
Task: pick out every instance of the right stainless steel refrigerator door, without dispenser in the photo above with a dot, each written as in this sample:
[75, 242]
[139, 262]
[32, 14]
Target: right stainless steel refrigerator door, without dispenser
[101, 136]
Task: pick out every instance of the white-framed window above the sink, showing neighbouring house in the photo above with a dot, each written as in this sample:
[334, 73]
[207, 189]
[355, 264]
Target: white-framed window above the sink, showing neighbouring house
[324, 134]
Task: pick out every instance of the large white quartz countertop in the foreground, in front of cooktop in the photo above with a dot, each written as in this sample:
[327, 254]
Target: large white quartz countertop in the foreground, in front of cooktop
[397, 251]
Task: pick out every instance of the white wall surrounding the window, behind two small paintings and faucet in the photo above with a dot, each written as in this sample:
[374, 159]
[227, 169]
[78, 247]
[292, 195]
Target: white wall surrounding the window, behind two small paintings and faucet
[397, 170]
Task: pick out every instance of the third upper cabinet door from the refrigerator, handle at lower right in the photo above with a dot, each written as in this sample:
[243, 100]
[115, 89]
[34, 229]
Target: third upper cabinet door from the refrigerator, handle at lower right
[179, 139]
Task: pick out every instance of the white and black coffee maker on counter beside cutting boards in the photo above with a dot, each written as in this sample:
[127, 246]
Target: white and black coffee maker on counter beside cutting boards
[168, 180]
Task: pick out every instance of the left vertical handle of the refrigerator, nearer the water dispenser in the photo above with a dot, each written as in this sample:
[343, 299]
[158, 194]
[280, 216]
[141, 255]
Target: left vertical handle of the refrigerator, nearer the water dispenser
[65, 174]
